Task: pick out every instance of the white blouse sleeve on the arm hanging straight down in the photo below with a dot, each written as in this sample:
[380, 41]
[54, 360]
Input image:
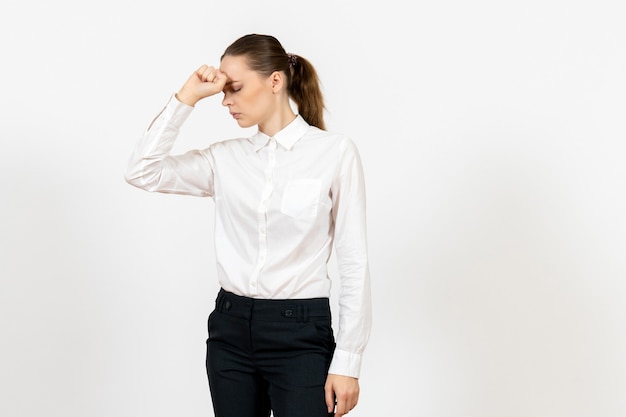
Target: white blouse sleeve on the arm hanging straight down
[355, 310]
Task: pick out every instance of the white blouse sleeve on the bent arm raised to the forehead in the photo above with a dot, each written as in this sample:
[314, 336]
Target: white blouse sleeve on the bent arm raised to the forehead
[152, 168]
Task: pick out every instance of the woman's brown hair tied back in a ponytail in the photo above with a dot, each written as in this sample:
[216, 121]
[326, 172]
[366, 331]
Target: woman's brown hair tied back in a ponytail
[264, 54]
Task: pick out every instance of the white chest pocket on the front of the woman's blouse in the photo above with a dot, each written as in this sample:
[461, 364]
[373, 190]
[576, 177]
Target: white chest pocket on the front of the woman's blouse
[301, 198]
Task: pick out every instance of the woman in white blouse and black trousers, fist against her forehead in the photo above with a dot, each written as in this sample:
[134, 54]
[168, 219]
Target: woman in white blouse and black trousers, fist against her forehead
[283, 198]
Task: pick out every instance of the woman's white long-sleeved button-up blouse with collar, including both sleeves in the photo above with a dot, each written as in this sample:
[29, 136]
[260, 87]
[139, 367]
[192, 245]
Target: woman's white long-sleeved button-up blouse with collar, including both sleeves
[281, 203]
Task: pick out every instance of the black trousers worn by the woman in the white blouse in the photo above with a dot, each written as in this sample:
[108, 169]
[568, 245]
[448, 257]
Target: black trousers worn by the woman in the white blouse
[269, 355]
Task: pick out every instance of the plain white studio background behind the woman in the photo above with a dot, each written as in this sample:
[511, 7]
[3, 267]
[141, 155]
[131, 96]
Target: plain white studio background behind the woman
[493, 139]
